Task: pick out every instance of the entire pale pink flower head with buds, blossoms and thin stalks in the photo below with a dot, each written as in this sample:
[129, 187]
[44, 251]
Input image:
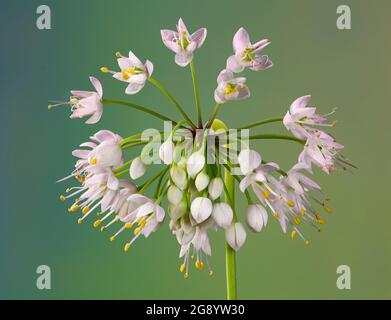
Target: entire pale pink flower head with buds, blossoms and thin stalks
[200, 162]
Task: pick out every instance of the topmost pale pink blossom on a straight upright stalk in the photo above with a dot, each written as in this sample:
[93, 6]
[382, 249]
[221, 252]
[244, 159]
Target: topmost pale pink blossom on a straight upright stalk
[183, 43]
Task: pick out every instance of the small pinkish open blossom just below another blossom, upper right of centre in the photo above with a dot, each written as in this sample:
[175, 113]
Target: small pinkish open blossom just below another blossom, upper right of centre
[230, 88]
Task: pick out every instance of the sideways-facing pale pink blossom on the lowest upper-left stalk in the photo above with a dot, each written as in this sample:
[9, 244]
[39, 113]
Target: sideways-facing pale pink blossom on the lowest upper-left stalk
[85, 103]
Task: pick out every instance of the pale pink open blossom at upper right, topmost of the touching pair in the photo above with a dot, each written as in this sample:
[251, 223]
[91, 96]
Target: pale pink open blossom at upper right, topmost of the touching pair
[248, 55]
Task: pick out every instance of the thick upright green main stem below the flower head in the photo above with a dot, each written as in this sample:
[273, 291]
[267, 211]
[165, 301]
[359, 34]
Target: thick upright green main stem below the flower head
[230, 255]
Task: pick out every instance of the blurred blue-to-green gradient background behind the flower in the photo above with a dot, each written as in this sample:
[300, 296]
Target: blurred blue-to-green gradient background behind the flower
[348, 69]
